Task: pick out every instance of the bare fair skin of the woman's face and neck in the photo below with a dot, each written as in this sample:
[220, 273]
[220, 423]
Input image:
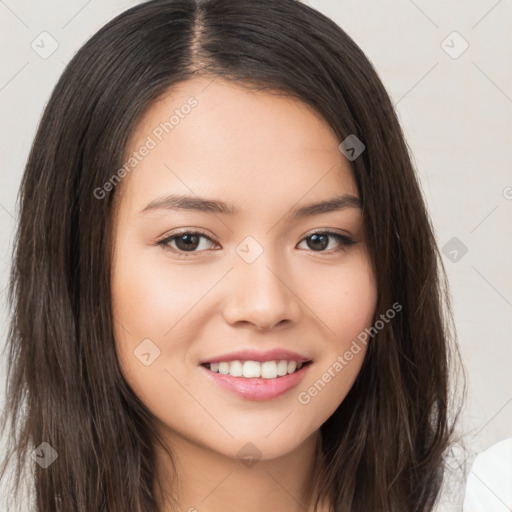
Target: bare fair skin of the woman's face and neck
[267, 156]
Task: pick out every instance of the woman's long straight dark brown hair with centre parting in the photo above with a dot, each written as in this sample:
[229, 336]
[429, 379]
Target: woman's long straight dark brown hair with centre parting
[383, 447]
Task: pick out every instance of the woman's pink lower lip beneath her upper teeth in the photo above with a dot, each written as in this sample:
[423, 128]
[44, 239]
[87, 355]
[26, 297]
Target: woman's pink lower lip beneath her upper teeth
[258, 388]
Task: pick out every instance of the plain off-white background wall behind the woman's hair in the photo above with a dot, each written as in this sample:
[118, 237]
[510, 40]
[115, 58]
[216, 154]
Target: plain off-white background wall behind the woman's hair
[456, 111]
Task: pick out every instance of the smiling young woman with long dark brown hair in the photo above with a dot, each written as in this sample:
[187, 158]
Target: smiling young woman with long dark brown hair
[226, 290]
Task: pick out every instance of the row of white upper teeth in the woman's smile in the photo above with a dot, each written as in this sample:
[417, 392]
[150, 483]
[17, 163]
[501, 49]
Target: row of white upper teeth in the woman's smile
[255, 369]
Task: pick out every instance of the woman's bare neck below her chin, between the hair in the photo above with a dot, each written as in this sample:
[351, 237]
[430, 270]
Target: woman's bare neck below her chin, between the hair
[203, 479]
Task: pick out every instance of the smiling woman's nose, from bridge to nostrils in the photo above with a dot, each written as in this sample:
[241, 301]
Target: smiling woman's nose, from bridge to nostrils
[261, 293]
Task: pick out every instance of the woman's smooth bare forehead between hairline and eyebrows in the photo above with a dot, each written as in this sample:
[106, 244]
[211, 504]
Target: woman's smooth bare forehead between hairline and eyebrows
[216, 138]
